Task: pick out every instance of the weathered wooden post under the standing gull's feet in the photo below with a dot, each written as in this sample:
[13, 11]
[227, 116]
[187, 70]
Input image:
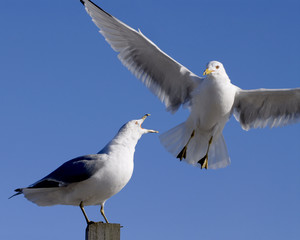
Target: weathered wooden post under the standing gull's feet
[103, 231]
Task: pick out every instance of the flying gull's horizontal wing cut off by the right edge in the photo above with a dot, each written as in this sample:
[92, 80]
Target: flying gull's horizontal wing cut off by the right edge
[267, 107]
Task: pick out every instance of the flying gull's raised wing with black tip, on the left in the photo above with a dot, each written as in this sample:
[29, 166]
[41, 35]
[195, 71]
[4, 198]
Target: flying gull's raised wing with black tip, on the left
[171, 82]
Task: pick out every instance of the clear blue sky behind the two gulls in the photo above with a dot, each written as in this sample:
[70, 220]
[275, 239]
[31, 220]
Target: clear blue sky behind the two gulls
[64, 94]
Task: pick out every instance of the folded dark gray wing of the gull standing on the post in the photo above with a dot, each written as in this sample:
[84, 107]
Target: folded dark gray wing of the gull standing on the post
[75, 170]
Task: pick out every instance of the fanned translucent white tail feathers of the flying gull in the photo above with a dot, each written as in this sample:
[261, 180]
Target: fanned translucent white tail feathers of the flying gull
[176, 138]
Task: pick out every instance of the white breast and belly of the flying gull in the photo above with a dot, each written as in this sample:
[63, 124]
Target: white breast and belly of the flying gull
[211, 103]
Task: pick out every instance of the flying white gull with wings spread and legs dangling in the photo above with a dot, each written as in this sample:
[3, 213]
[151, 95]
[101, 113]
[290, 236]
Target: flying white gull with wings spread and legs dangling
[211, 99]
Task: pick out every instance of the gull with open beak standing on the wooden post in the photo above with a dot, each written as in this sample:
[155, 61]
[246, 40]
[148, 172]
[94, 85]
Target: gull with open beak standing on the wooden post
[90, 179]
